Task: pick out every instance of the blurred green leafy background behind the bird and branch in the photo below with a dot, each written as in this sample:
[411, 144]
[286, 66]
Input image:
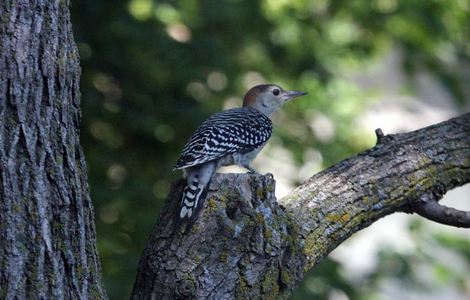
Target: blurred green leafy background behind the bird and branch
[153, 70]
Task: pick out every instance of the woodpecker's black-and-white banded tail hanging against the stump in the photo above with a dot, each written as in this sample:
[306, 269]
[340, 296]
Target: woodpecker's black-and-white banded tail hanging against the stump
[192, 200]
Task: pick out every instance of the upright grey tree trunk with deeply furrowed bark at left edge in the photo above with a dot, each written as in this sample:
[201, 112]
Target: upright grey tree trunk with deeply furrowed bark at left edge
[47, 234]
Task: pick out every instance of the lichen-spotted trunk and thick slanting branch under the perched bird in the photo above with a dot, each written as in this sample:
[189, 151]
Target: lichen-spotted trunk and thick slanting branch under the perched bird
[247, 245]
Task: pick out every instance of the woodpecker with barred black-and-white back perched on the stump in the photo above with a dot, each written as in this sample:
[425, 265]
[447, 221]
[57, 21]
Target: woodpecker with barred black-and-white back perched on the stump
[233, 136]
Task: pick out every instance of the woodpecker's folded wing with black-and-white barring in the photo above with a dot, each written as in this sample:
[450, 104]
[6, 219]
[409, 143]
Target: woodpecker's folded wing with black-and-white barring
[230, 131]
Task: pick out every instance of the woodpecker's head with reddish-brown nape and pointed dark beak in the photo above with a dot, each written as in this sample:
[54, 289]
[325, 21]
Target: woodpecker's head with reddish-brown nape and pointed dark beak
[268, 98]
